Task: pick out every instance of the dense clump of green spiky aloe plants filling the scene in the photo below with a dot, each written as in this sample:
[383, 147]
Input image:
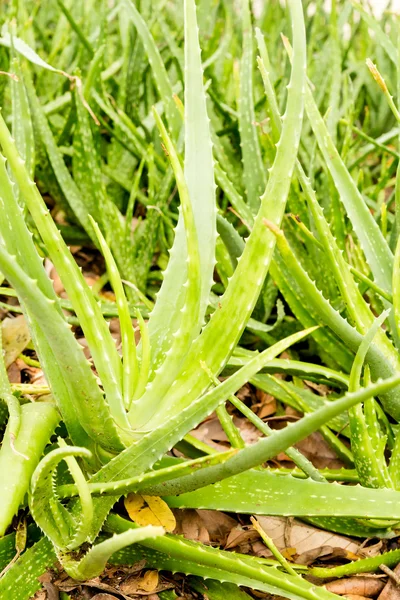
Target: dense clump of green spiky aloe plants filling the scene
[253, 184]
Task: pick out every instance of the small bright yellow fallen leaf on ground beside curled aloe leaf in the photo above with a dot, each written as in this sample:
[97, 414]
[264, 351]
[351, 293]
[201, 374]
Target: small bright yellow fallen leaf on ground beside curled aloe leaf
[150, 510]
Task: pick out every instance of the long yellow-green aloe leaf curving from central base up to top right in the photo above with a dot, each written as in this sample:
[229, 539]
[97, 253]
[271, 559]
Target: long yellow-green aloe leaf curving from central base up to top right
[223, 331]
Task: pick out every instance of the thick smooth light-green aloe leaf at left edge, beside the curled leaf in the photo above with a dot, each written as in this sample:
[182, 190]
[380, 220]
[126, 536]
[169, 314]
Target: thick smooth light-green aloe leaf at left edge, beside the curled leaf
[37, 425]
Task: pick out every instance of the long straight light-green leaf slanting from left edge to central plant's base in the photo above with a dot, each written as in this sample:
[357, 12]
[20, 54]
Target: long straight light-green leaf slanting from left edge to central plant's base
[102, 345]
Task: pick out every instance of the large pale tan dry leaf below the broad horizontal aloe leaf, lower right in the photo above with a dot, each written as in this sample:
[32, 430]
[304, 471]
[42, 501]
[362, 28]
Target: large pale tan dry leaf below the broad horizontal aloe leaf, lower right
[303, 537]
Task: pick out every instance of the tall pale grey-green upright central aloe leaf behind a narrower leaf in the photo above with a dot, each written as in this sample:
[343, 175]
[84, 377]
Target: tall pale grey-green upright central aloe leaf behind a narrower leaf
[200, 182]
